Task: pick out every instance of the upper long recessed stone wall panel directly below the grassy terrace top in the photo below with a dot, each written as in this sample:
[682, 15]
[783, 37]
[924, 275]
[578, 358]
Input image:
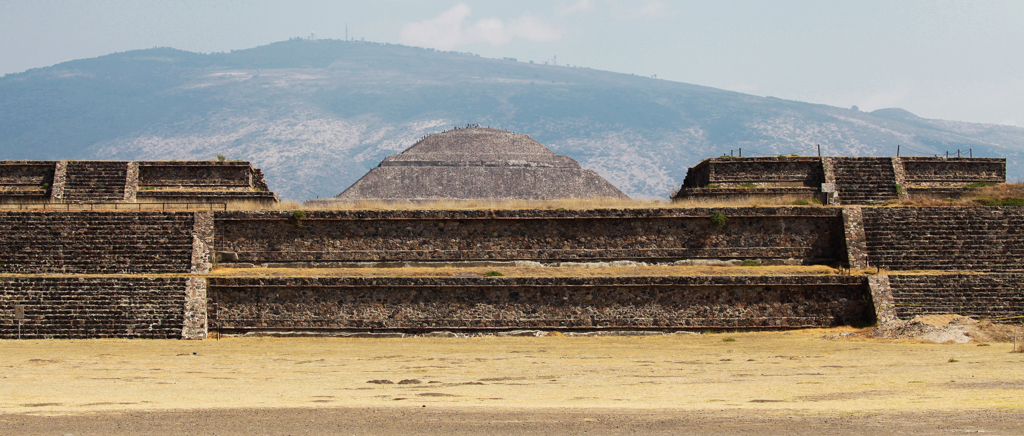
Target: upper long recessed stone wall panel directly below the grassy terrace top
[794, 235]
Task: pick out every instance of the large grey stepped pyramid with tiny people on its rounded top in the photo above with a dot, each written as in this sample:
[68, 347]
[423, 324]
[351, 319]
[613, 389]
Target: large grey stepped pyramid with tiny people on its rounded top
[479, 163]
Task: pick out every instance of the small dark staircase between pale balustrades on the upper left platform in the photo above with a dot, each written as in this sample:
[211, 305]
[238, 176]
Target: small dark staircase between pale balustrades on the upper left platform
[96, 182]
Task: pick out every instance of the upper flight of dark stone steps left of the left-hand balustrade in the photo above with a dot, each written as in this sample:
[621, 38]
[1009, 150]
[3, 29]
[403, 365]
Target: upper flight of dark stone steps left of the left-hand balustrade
[96, 243]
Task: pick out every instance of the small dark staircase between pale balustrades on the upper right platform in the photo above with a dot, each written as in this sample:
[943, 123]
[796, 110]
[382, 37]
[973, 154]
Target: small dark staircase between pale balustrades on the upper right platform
[865, 181]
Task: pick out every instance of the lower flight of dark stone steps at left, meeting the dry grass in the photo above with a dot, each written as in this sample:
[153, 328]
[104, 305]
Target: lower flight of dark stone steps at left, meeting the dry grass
[93, 308]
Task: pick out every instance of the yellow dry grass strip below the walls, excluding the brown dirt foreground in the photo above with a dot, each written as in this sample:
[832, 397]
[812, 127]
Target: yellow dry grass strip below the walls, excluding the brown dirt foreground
[798, 372]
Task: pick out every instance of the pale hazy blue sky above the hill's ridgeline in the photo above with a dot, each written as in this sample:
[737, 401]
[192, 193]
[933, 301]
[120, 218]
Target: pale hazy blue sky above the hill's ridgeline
[950, 60]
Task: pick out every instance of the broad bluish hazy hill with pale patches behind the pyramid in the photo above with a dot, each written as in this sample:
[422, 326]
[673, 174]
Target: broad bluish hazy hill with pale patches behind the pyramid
[318, 115]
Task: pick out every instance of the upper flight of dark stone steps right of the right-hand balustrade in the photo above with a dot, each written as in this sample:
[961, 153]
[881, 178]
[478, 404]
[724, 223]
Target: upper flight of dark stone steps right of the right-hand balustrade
[946, 239]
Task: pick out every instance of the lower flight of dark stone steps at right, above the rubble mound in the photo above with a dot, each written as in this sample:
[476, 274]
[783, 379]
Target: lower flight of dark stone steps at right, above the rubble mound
[996, 297]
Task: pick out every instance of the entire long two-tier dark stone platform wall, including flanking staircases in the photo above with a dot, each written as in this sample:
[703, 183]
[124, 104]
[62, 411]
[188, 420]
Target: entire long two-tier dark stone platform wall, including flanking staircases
[53, 258]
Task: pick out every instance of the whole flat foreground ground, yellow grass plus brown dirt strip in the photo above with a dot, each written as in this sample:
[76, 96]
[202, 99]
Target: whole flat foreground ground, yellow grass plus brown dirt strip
[748, 383]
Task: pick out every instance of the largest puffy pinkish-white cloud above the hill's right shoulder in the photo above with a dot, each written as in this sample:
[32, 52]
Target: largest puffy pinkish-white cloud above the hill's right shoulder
[450, 30]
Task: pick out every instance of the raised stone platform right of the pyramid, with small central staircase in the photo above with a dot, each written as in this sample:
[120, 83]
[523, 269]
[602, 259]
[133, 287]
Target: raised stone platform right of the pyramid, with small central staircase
[857, 181]
